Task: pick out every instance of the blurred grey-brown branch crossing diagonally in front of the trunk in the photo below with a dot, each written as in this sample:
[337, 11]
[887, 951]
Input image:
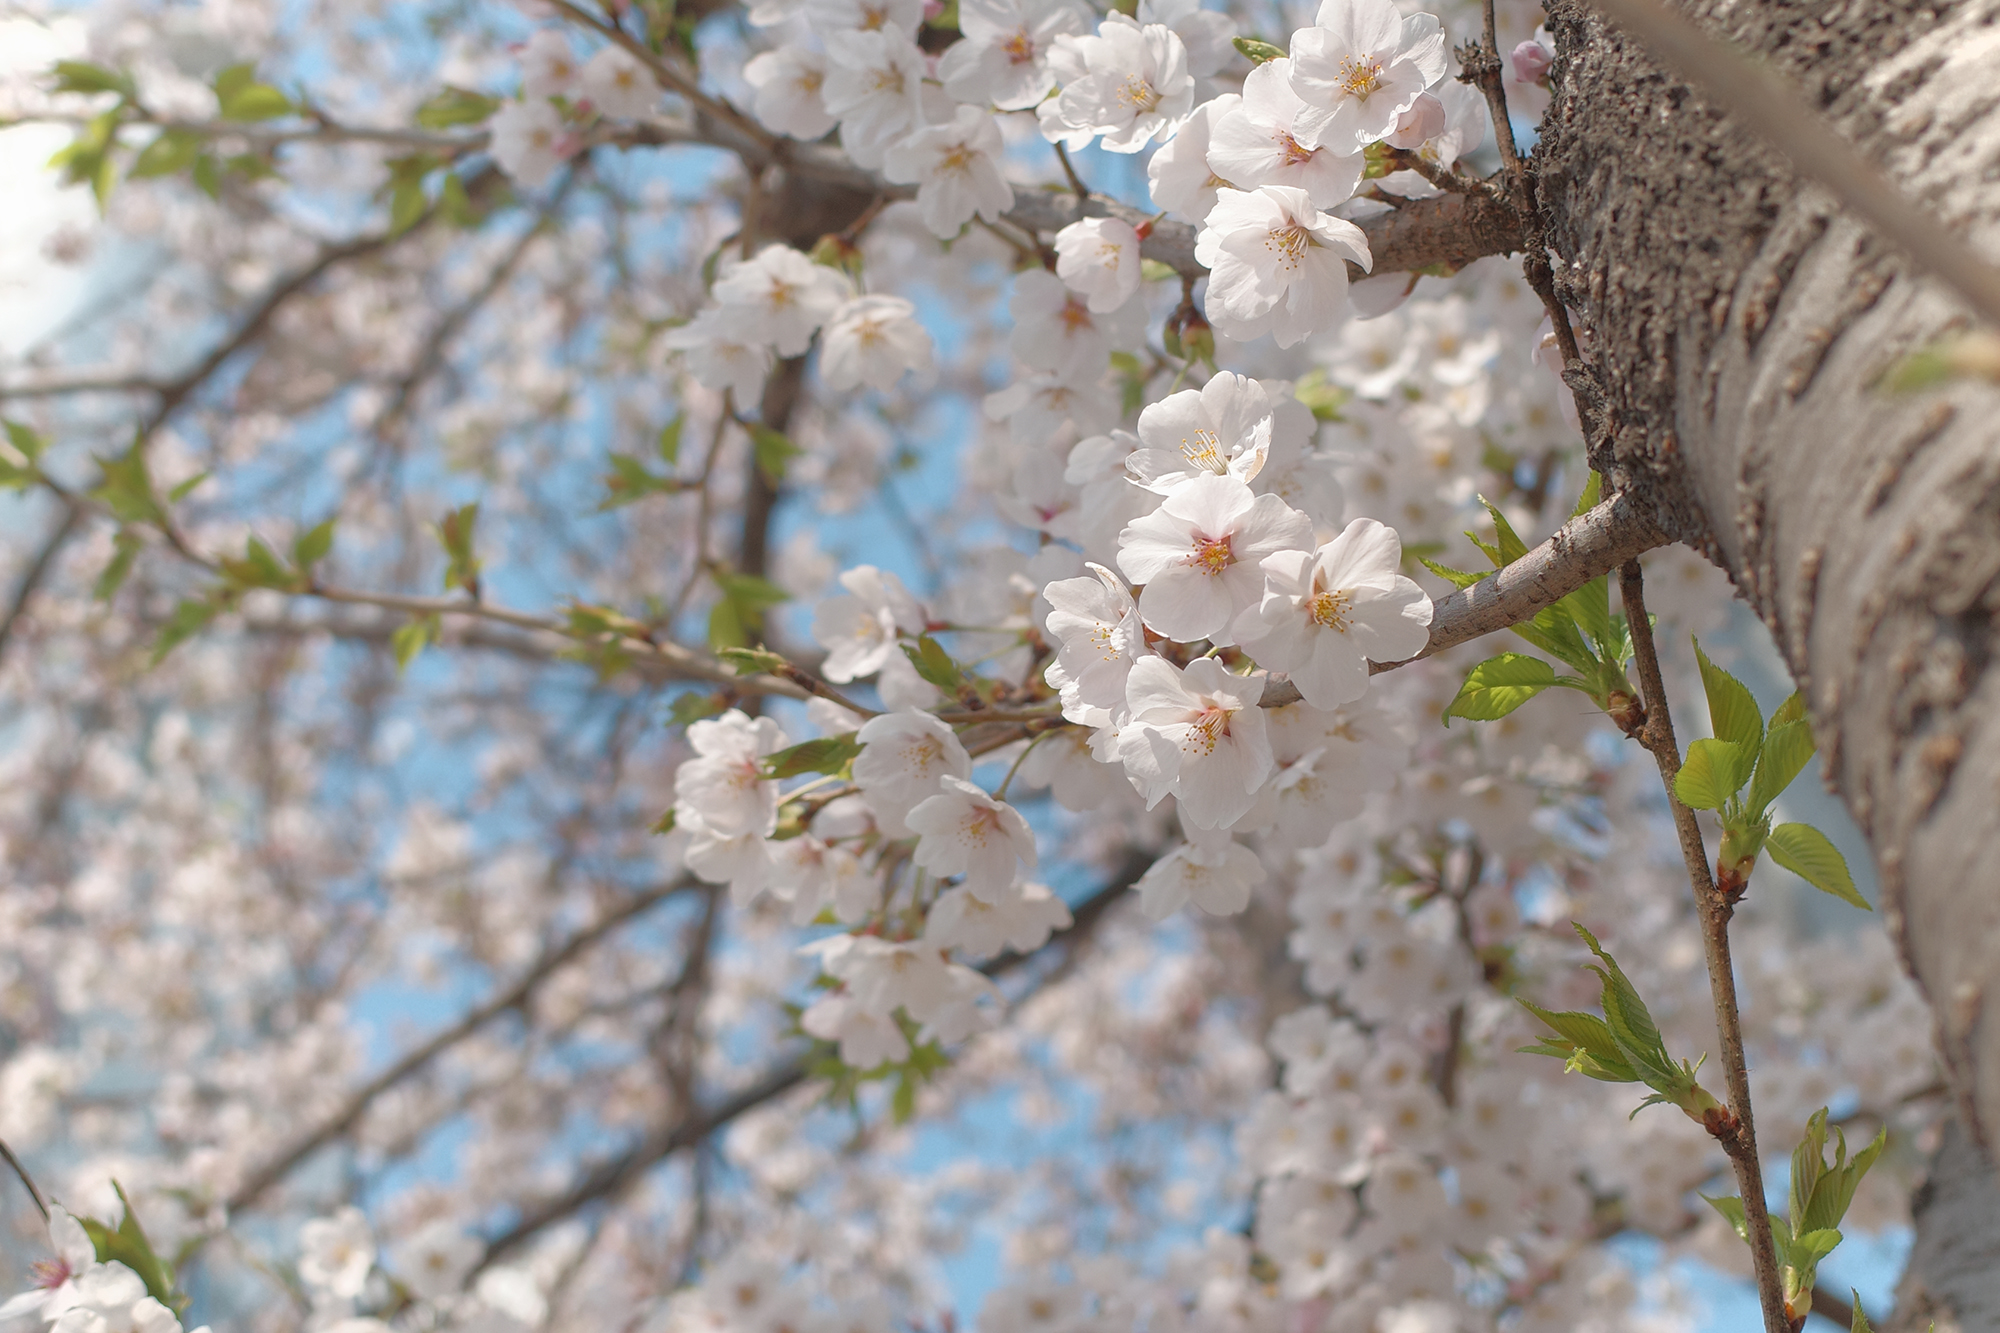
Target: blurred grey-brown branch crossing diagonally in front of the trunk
[1771, 109]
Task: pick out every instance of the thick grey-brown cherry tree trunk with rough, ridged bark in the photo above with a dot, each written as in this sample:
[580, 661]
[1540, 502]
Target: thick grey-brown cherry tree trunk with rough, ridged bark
[1737, 335]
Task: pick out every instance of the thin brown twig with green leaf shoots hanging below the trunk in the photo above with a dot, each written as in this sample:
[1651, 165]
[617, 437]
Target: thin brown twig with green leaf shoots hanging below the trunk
[1715, 912]
